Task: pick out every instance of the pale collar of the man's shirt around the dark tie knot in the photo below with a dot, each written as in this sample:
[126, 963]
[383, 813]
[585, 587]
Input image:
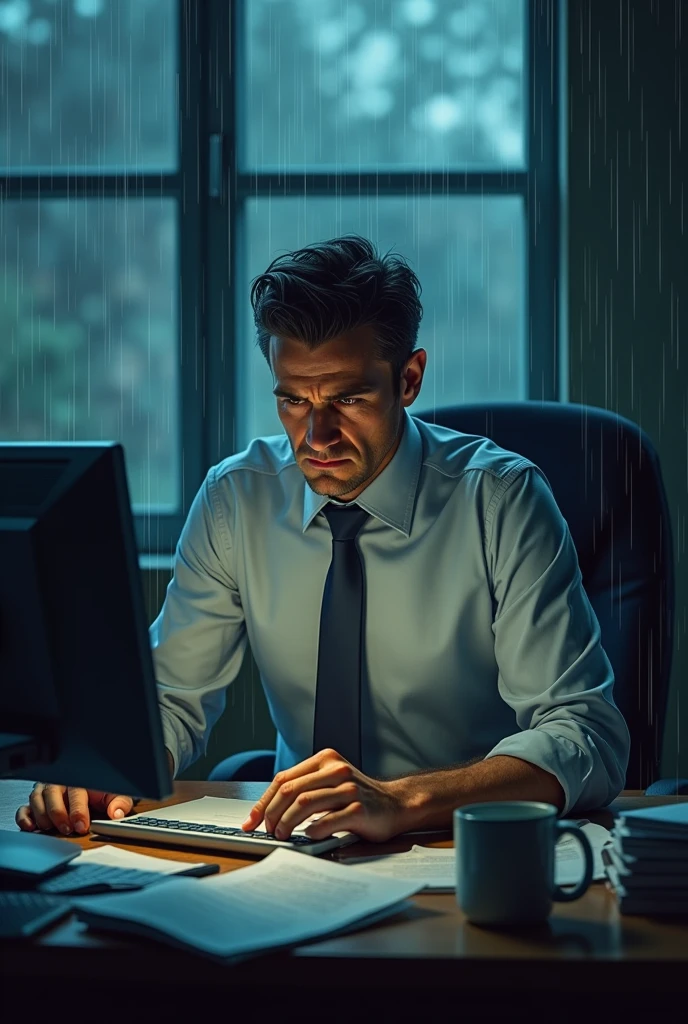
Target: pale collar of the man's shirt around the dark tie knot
[392, 496]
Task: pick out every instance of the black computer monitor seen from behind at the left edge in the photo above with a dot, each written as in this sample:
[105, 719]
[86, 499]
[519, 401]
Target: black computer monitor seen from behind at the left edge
[78, 696]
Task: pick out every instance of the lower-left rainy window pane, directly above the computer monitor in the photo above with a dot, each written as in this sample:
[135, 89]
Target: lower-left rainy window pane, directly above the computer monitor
[89, 322]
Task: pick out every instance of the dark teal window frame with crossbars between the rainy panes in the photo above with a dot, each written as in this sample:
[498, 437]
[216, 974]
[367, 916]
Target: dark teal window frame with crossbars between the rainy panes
[210, 192]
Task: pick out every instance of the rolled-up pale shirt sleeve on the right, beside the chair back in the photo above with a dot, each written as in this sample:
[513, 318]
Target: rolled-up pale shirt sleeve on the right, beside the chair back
[553, 671]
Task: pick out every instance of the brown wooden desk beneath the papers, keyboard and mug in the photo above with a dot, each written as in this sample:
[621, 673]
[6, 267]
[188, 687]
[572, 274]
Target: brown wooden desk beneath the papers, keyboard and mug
[416, 962]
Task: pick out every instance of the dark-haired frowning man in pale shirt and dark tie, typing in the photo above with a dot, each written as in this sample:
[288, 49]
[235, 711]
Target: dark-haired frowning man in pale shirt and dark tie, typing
[416, 609]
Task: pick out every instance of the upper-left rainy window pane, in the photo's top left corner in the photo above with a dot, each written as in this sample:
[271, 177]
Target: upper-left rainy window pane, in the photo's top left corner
[89, 84]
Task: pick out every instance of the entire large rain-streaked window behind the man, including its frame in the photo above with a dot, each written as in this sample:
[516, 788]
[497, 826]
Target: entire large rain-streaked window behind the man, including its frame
[156, 155]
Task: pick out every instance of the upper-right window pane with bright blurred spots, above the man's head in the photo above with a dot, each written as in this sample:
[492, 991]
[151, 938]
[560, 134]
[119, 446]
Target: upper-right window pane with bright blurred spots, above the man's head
[397, 84]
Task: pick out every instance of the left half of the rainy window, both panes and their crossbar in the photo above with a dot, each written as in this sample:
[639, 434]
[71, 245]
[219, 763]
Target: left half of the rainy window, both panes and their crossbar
[90, 229]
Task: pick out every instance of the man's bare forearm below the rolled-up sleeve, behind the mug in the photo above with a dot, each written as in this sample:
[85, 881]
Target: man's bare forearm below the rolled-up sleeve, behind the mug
[431, 799]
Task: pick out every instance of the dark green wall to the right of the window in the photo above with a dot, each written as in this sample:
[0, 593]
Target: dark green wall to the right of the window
[627, 251]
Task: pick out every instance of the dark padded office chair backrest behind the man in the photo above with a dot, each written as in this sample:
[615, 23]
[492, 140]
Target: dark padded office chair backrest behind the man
[606, 477]
